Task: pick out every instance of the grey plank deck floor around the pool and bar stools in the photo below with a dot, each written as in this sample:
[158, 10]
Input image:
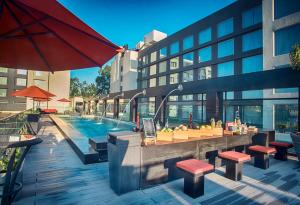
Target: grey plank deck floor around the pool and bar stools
[54, 175]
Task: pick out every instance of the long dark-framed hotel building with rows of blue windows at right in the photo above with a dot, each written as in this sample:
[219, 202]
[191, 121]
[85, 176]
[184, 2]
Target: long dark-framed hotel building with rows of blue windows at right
[234, 61]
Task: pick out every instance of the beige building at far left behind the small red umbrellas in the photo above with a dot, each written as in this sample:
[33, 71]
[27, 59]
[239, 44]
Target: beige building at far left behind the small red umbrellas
[16, 79]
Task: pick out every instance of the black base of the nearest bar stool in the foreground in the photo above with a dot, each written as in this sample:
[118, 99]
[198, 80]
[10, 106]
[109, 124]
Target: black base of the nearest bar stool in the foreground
[194, 185]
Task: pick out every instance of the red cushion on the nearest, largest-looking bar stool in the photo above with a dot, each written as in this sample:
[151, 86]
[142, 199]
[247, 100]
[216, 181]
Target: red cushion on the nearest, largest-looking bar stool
[194, 166]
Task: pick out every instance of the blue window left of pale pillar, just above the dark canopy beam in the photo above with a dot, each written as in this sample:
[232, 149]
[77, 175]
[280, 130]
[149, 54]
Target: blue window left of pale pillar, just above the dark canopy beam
[252, 64]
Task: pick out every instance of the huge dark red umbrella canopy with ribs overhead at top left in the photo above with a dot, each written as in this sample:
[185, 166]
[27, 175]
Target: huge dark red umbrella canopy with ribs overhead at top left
[43, 35]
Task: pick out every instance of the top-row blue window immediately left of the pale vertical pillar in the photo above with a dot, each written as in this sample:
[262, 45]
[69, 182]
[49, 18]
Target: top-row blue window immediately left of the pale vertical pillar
[252, 16]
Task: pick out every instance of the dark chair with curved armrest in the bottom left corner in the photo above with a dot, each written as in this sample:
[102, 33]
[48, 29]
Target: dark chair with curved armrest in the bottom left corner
[11, 187]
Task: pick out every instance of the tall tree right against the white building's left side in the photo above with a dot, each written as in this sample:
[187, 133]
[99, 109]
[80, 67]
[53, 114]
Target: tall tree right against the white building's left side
[103, 81]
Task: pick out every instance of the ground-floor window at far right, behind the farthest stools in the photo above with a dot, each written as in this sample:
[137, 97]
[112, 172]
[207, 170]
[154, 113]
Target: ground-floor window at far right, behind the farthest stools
[286, 117]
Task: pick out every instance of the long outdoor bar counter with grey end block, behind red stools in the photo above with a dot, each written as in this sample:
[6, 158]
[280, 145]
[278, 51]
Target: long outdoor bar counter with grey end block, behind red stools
[148, 165]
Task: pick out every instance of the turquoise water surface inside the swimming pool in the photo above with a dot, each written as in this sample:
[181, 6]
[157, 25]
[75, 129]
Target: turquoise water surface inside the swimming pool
[91, 128]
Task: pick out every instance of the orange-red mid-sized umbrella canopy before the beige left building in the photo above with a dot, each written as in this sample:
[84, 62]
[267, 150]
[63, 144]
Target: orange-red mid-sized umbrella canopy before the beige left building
[33, 92]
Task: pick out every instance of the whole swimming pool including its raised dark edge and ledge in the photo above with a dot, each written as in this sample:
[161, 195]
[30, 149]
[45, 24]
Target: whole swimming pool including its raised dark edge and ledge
[78, 131]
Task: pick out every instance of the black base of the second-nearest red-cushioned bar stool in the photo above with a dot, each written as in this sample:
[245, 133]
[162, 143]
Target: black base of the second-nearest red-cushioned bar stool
[234, 170]
